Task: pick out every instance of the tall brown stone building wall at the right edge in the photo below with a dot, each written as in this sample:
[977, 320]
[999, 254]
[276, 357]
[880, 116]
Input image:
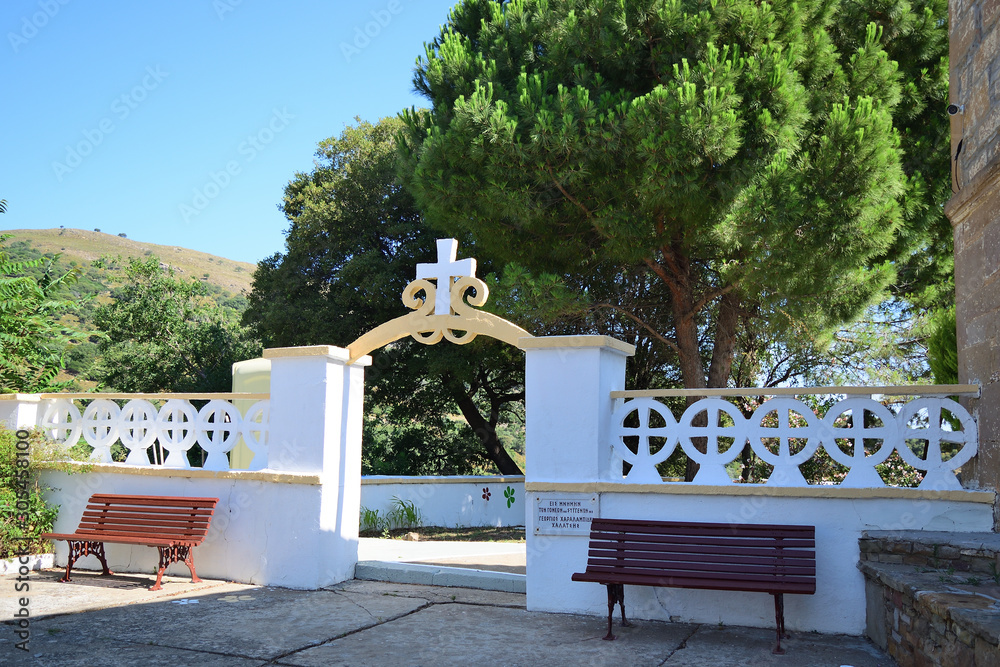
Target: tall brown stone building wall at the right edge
[974, 212]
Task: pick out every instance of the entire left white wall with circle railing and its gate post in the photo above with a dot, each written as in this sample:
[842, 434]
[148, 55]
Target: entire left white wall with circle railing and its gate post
[290, 520]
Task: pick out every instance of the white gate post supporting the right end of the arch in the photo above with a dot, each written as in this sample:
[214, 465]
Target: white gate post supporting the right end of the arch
[568, 410]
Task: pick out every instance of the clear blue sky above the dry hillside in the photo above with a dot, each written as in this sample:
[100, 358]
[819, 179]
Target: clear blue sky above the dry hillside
[181, 122]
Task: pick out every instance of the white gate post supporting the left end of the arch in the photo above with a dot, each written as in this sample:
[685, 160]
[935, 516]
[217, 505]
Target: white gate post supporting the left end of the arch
[315, 427]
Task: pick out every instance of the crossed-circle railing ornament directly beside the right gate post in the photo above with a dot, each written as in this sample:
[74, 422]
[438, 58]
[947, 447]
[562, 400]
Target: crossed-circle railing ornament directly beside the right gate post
[643, 460]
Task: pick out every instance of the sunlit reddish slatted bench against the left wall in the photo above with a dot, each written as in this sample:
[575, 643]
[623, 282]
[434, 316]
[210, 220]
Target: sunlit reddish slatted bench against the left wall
[174, 525]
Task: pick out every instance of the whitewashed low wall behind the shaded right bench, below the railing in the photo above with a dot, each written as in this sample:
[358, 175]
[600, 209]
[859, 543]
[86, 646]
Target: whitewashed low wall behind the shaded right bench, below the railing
[840, 515]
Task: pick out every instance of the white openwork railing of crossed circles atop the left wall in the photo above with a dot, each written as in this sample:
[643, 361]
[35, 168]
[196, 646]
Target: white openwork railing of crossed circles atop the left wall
[159, 436]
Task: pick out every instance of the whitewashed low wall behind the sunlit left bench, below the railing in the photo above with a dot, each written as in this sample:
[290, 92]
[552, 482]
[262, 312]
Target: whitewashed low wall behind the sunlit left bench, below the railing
[253, 538]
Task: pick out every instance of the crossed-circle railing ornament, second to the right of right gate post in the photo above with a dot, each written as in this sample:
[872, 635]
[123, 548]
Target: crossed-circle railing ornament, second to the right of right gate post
[712, 462]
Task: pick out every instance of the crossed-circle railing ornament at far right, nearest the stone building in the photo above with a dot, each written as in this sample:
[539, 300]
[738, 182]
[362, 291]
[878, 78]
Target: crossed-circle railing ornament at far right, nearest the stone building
[940, 473]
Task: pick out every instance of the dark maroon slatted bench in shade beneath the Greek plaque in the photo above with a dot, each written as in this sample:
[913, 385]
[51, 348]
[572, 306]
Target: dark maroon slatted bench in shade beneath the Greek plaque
[771, 559]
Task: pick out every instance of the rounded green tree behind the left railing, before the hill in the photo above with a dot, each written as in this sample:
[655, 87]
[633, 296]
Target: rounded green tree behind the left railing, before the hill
[162, 334]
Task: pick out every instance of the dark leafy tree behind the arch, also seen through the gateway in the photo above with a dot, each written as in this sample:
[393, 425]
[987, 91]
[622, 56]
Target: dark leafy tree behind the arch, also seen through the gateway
[353, 243]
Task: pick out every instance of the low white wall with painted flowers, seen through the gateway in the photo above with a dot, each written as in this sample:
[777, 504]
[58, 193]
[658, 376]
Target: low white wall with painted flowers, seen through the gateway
[451, 502]
